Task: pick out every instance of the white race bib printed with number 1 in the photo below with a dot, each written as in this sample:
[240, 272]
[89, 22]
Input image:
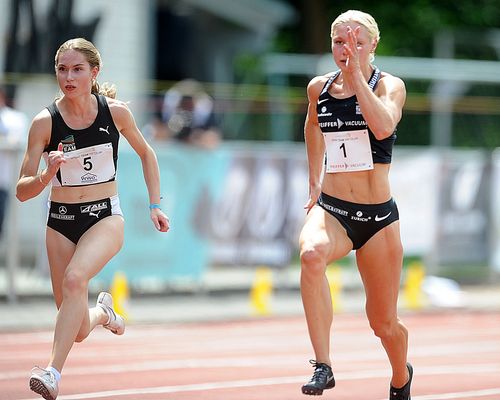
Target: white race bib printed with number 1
[348, 151]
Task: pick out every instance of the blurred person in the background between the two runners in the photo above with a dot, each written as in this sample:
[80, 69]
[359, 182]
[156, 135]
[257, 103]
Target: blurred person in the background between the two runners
[187, 115]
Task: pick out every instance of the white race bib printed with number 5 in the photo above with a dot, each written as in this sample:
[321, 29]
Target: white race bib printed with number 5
[88, 166]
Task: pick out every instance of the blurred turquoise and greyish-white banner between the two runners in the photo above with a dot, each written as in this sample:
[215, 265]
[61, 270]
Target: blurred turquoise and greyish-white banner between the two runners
[235, 206]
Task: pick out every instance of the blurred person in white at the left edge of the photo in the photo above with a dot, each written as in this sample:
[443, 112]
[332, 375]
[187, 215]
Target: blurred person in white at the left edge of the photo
[13, 131]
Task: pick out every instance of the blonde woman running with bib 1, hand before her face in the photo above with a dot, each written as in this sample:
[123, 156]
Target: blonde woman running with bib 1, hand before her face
[351, 120]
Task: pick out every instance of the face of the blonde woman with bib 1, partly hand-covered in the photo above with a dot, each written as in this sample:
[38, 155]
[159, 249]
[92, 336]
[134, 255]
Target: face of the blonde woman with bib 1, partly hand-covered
[351, 42]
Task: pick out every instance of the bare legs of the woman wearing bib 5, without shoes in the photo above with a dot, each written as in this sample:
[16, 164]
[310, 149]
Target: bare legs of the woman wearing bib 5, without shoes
[94, 249]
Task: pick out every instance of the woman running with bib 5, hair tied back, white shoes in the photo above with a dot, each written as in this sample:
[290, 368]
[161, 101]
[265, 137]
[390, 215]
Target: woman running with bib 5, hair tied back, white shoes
[78, 135]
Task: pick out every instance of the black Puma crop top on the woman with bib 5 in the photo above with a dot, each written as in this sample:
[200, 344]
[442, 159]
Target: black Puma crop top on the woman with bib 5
[102, 131]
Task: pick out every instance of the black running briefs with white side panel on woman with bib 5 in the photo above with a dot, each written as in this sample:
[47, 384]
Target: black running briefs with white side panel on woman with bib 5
[74, 219]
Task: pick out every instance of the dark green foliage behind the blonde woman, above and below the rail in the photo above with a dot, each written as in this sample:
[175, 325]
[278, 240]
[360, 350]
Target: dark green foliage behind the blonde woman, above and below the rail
[409, 29]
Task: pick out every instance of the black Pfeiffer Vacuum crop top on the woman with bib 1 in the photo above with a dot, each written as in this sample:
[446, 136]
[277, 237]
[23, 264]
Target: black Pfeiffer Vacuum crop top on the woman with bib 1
[335, 115]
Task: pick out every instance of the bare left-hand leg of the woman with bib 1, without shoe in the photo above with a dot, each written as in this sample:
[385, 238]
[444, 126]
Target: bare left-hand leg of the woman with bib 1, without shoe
[322, 240]
